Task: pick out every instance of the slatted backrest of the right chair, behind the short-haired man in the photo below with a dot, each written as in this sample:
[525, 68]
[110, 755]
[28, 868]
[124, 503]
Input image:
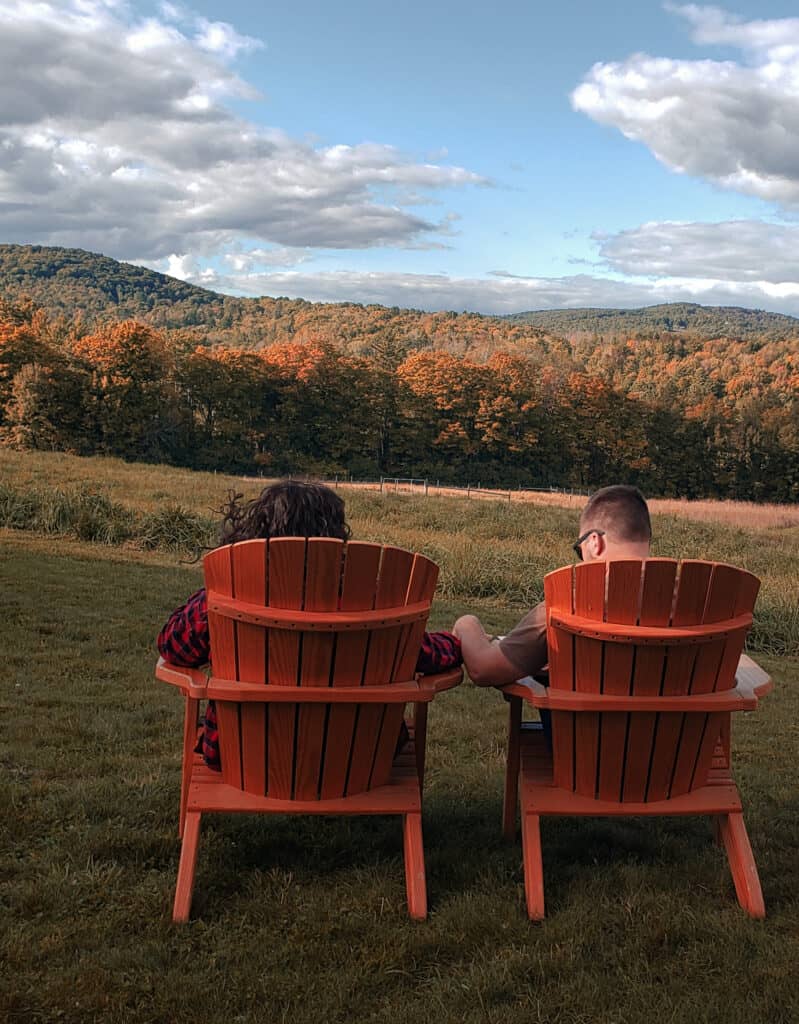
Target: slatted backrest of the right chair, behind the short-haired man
[680, 630]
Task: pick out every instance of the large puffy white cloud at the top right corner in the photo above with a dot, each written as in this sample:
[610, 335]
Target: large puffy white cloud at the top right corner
[734, 123]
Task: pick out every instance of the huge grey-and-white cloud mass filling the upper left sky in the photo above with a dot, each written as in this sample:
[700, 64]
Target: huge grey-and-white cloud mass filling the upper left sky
[115, 137]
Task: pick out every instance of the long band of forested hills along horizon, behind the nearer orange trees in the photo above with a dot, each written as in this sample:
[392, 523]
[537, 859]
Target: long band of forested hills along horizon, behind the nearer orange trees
[71, 282]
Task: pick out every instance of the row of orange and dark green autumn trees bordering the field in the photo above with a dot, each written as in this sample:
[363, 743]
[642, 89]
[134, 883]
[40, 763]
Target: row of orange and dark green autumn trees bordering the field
[676, 417]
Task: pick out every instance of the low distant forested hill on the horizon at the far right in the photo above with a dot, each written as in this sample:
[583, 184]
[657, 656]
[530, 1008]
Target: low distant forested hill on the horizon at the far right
[687, 318]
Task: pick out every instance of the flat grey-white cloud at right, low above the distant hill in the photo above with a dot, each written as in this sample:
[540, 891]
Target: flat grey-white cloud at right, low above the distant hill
[733, 251]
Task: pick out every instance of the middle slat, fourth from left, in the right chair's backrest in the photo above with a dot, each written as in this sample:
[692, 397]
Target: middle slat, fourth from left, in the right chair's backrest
[657, 601]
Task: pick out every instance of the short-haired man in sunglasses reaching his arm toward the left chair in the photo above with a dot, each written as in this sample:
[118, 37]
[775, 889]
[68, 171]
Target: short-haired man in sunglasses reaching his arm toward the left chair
[614, 525]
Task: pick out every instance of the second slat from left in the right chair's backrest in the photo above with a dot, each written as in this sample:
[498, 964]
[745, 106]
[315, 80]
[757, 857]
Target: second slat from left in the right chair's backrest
[590, 603]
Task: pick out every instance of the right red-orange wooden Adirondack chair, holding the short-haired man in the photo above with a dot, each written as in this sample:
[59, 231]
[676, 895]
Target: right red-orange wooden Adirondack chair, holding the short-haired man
[644, 658]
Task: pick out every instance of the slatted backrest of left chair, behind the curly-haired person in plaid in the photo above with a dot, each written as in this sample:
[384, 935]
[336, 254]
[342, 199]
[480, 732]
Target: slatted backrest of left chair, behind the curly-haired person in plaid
[313, 614]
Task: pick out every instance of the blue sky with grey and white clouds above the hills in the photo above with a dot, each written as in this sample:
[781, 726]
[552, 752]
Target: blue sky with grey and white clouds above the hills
[515, 156]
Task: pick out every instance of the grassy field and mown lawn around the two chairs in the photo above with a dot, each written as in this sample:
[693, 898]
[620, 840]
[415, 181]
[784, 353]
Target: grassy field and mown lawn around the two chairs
[305, 920]
